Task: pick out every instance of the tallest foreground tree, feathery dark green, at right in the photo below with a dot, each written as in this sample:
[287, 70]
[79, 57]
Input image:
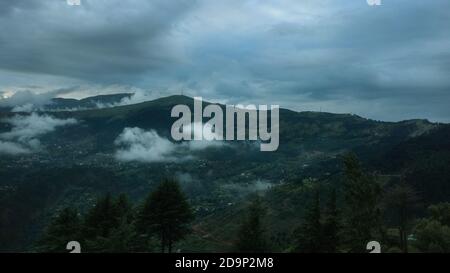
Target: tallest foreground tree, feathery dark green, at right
[361, 200]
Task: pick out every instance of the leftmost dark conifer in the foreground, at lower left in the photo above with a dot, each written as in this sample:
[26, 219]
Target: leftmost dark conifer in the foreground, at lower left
[65, 227]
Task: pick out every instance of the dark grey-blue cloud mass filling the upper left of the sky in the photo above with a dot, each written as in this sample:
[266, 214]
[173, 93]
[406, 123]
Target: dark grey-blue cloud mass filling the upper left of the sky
[99, 40]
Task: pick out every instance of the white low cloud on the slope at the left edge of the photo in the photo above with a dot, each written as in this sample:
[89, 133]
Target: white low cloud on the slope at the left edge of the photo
[25, 131]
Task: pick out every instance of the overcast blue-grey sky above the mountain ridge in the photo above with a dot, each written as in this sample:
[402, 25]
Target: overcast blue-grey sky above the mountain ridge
[388, 62]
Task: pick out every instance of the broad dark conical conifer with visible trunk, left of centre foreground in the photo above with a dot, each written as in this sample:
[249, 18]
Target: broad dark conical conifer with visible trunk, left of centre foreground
[166, 213]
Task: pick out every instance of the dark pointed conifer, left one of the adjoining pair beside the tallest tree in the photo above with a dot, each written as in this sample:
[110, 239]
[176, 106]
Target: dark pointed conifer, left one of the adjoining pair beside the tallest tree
[309, 235]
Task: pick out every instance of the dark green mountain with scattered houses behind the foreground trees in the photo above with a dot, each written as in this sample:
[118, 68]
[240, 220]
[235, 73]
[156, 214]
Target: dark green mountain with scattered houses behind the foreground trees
[78, 162]
